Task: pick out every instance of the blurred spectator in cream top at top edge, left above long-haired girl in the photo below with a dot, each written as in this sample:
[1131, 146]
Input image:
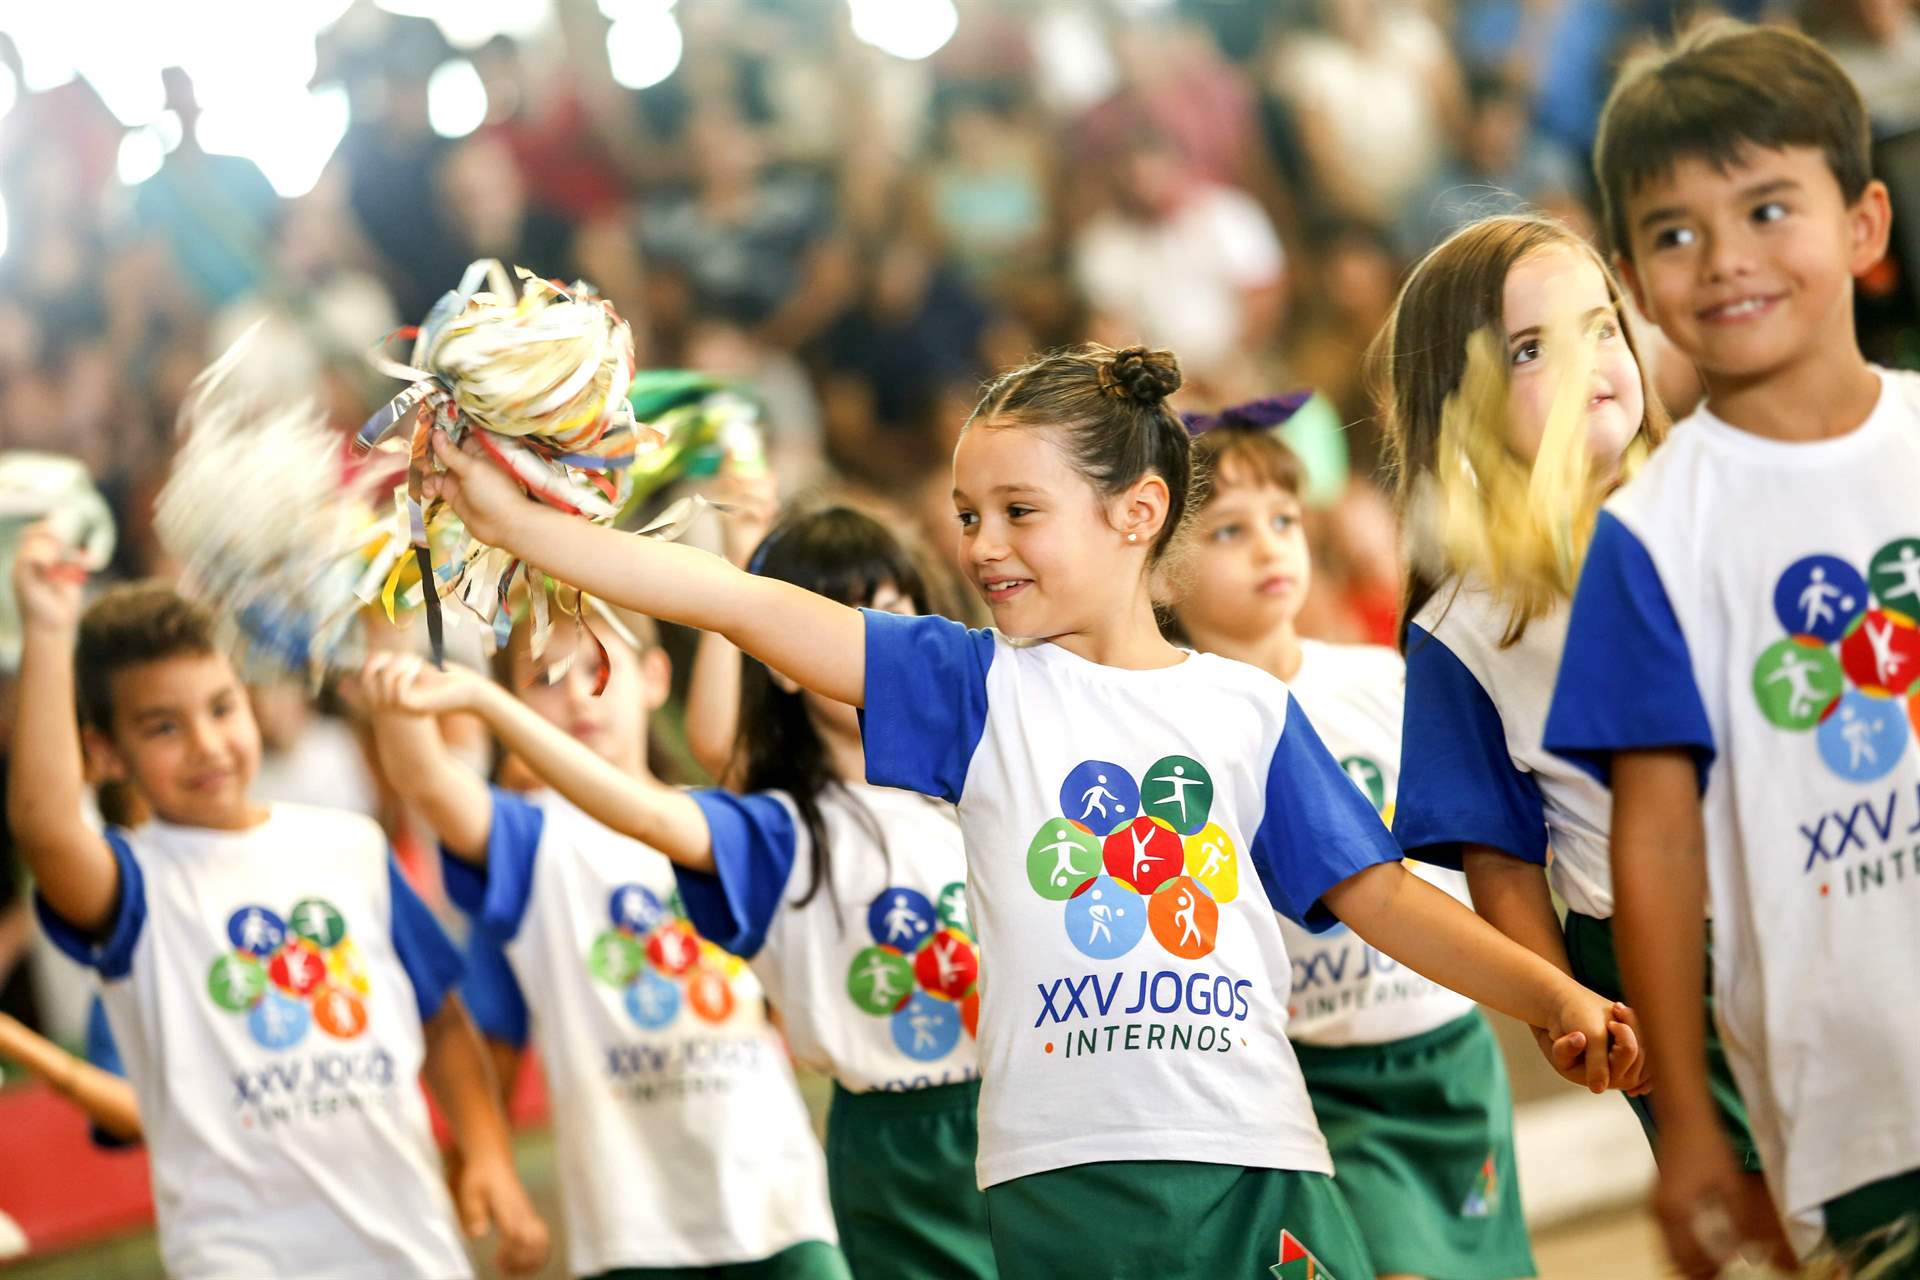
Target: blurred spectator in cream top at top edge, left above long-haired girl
[1372, 97]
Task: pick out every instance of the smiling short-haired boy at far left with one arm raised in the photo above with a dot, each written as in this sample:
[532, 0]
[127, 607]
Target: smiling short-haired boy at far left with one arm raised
[272, 982]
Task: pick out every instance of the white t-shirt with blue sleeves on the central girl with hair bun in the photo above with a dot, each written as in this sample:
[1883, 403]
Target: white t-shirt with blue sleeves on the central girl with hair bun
[1130, 838]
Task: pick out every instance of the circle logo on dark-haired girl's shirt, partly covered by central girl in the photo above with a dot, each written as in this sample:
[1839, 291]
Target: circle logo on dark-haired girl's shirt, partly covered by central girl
[921, 972]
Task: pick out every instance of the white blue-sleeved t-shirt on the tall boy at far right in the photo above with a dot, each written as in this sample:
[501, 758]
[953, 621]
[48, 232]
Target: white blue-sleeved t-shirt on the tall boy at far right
[1754, 602]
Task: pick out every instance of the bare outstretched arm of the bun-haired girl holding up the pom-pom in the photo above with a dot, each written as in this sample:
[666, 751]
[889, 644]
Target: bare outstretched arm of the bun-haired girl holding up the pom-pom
[817, 642]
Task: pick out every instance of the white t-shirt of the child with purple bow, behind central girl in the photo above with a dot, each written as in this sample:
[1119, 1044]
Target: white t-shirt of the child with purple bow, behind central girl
[1347, 991]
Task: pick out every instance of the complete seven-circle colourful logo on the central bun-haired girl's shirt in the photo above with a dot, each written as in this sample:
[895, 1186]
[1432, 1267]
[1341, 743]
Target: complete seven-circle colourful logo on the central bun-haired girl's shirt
[1134, 859]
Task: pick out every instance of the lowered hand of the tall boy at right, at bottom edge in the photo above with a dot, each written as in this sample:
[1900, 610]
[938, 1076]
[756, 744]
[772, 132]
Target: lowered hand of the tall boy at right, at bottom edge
[1712, 1212]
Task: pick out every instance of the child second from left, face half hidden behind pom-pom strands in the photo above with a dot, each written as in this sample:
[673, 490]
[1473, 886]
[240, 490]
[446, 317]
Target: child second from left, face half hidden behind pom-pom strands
[683, 1139]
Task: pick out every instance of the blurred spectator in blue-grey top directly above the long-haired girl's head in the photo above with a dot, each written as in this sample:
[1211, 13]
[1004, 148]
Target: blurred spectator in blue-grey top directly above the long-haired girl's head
[1499, 168]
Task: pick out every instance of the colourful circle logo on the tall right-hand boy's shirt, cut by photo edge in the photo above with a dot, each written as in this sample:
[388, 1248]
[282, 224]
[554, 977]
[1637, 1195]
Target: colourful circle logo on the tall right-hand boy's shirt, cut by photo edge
[1850, 659]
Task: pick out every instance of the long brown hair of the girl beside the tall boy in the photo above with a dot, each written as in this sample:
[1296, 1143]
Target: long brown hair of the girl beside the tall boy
[1422, 356]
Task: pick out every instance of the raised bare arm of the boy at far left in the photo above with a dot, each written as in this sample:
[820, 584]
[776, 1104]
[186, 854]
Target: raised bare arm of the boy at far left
[45, 797]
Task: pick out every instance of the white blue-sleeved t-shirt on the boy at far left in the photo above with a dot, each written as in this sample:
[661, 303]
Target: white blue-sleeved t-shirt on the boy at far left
[268, 991]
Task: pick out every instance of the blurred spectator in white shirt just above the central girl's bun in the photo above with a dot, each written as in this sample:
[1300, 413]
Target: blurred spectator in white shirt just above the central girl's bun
[1180, 262]
